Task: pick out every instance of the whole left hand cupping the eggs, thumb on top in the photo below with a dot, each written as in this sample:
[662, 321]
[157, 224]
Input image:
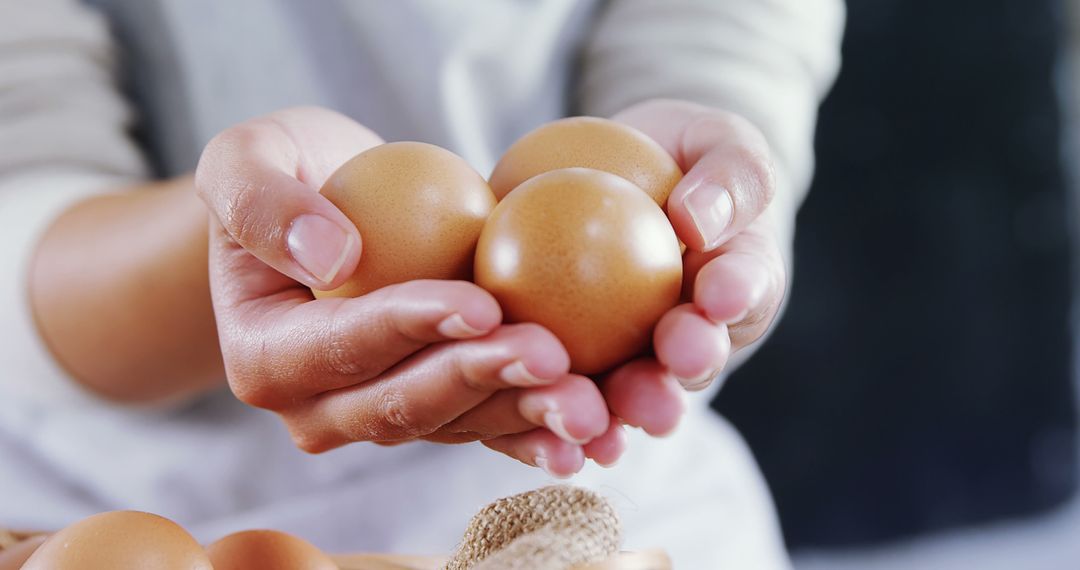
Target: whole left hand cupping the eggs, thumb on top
[424, 360]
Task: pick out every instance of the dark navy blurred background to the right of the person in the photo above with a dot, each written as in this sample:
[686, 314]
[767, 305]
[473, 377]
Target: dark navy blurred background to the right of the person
[921, 379]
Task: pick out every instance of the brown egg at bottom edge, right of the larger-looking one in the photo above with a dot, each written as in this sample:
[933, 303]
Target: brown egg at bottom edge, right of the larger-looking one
[267, 550]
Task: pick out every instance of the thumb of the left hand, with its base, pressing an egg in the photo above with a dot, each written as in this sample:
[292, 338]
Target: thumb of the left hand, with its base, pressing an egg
[262, 179]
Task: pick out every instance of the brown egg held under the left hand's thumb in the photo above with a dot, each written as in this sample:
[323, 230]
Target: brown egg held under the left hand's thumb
[420, 210]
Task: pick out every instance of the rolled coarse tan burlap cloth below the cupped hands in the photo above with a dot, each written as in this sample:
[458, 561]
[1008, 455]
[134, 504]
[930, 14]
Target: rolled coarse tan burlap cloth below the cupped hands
[552, 528]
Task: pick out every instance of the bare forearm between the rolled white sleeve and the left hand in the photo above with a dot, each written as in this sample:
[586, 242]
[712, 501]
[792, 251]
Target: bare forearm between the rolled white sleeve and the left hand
[119, 292]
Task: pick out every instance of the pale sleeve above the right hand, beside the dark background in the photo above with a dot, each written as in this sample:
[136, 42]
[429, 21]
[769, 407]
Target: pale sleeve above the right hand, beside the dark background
[771, 61]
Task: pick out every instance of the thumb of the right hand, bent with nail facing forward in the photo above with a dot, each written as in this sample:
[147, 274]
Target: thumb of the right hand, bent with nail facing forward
[730, 175]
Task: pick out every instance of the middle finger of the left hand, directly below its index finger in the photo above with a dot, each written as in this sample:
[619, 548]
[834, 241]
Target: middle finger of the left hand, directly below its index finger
[428, 390]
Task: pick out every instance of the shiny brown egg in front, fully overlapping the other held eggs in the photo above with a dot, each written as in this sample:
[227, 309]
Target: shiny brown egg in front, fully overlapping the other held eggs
[589, 256]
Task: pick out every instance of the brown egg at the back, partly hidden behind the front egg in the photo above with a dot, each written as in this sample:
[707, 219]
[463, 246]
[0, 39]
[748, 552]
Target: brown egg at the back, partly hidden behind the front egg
[591, 143]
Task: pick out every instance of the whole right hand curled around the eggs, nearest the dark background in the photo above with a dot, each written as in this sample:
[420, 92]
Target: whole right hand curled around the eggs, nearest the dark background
[734, 270]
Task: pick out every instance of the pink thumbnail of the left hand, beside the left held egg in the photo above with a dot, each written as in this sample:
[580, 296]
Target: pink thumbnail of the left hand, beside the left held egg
[319, 246]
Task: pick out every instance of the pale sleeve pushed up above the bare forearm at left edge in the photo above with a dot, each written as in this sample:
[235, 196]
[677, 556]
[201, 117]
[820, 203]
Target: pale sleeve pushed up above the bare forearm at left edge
[63, 139]
